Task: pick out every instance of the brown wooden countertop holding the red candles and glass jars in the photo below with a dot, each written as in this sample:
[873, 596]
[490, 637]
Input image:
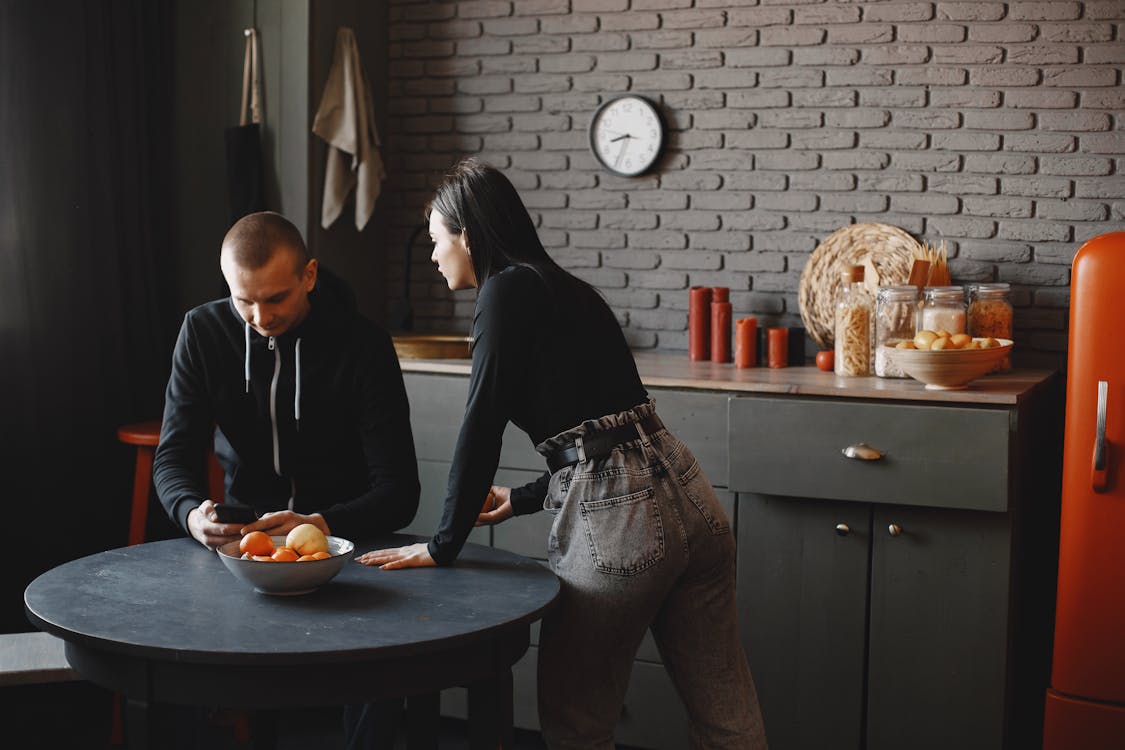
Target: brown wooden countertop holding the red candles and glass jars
[676, 371]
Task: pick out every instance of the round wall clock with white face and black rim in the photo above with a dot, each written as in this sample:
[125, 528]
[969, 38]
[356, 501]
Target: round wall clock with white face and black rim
[626, 135]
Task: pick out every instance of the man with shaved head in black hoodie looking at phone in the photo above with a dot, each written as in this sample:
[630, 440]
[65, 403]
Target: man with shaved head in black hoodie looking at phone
[304, 403]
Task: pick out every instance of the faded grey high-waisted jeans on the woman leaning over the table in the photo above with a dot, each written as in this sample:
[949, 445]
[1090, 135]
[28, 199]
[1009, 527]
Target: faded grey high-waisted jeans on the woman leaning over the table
[640, 541]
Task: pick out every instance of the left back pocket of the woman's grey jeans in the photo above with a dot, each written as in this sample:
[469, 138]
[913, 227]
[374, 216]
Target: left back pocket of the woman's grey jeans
[626, 534]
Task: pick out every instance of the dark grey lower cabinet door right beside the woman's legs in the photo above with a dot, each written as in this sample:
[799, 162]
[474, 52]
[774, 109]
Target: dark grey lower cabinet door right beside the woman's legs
[803, 608]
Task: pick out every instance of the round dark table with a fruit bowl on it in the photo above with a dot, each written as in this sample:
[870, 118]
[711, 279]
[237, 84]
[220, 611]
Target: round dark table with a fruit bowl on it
[167, 624]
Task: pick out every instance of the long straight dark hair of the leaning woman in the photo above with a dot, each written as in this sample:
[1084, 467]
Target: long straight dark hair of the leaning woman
[478, 200]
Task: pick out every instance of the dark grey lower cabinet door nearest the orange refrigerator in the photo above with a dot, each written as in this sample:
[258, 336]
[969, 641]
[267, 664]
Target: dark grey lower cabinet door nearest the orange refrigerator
[940, 594]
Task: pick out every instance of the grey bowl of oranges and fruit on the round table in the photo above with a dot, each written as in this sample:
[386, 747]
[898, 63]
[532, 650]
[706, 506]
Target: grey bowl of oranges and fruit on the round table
[299, 563]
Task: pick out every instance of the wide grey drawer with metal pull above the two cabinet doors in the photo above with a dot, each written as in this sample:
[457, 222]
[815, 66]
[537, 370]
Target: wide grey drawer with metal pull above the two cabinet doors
[934, 456]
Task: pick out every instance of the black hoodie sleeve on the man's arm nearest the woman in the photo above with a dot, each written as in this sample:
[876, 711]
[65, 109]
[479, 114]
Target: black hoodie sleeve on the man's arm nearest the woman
[392, 498]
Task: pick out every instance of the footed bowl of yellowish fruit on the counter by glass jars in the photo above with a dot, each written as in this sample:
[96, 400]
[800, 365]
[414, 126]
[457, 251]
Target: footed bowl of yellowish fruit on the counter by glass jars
[949, 362]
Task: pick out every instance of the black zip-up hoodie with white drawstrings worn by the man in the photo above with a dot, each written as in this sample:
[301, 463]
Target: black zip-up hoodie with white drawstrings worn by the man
[316, 420]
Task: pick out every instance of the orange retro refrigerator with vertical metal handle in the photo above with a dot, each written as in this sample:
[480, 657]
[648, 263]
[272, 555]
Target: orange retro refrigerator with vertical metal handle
[1086, 701]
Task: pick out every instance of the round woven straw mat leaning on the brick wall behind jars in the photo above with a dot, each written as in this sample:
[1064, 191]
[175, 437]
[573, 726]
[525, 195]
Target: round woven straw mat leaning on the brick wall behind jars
[886, 251]
